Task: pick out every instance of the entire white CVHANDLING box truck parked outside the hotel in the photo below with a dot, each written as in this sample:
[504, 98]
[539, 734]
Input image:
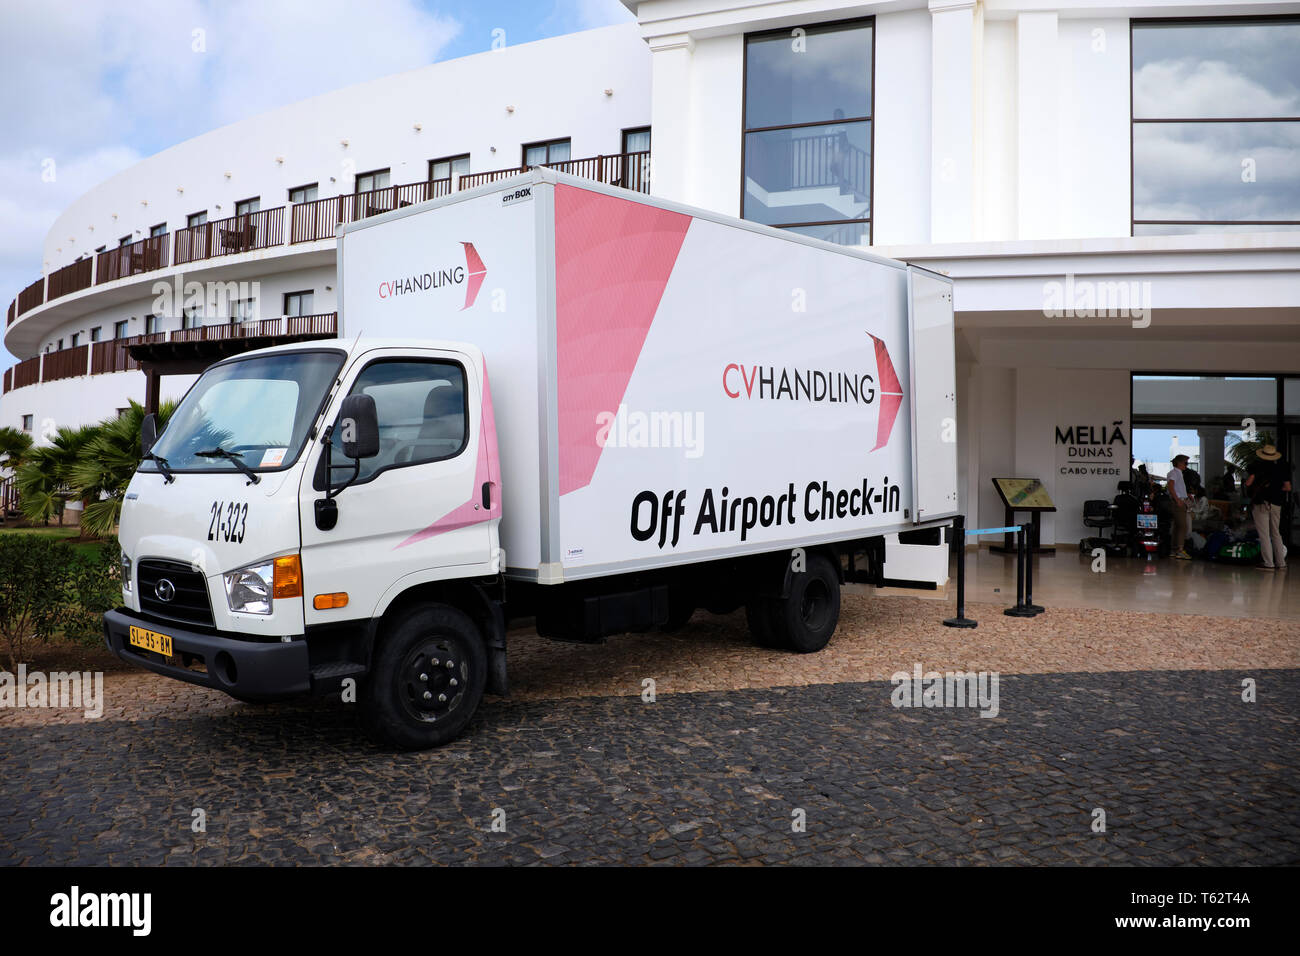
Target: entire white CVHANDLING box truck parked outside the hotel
[549, 400]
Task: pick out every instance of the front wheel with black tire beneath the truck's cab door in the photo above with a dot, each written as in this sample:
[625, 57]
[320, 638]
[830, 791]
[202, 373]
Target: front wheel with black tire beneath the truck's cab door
[402, 711]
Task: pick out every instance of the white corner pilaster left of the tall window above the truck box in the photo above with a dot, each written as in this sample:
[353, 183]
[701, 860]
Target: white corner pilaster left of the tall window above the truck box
[670, 116]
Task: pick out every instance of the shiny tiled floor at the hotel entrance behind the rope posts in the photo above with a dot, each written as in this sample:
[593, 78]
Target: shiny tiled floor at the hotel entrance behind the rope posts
[1067, 579]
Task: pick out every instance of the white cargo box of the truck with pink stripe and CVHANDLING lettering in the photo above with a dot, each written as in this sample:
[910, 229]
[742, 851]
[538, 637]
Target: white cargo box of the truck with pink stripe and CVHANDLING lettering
[760, 388]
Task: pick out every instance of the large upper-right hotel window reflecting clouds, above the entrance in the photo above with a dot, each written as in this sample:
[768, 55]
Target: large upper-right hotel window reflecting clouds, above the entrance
[1216, 126]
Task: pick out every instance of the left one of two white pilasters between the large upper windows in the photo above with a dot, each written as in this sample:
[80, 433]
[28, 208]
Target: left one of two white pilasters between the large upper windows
[952, 122]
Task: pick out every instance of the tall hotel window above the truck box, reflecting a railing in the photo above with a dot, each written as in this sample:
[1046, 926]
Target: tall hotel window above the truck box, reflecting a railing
[807, 142]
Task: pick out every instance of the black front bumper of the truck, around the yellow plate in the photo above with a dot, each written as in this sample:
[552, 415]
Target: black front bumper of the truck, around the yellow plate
[239, 667]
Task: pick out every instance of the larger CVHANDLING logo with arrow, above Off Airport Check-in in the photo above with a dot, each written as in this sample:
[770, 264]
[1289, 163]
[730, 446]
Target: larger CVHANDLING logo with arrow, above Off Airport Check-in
[816, 386]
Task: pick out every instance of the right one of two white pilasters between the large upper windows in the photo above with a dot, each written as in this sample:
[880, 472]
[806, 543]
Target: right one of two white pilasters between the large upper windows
[1038, 127]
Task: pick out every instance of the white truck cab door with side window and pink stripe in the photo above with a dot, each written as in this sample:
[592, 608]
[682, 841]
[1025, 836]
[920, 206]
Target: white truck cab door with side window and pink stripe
[427, 507]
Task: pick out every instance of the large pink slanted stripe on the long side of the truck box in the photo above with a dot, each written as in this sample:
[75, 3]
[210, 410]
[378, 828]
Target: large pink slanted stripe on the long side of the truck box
[613, 261]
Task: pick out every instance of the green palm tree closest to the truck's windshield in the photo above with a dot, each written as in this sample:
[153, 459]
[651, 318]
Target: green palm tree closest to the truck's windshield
[106, 465]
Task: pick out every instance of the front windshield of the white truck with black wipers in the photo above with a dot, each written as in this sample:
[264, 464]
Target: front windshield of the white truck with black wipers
[258, 409]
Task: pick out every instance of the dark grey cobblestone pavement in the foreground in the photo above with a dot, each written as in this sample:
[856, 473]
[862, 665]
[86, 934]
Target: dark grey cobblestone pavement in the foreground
[1185, 771]
